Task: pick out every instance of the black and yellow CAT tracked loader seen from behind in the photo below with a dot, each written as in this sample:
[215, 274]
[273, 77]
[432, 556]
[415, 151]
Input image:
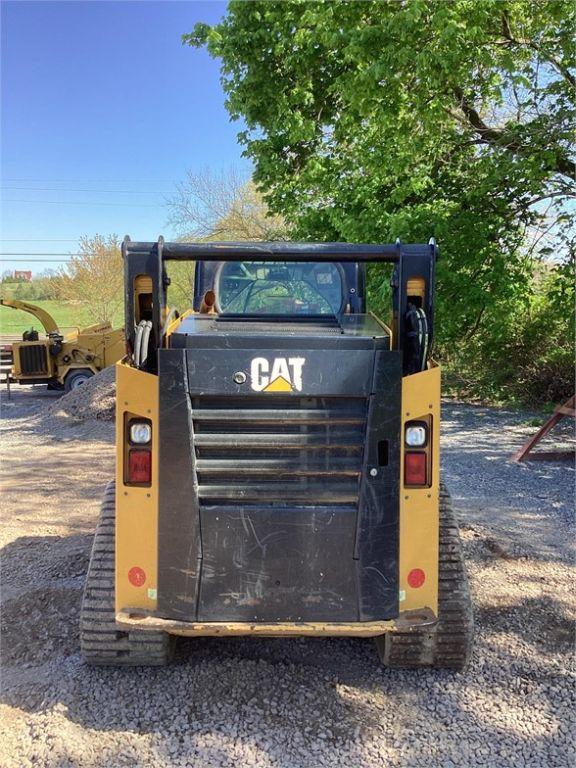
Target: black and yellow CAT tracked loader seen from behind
[277, 460]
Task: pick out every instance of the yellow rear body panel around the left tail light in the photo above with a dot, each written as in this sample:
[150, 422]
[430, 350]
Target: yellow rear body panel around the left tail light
[136, 507]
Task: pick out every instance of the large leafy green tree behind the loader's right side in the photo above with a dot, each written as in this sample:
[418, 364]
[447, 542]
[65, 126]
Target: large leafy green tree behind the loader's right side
[368, 121]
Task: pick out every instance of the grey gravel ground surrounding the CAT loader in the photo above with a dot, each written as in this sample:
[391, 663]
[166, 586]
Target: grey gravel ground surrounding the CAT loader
[298, 703]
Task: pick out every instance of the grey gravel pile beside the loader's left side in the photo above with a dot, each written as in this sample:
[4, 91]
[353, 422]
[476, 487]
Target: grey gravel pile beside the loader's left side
[96, 399]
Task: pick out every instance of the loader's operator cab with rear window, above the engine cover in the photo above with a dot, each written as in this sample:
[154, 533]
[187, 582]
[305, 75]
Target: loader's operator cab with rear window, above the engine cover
[279, 299]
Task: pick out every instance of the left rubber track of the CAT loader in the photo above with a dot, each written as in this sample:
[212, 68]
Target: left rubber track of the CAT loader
[101, 641]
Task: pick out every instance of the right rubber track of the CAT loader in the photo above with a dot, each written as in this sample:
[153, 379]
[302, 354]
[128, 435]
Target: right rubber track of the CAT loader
[449, 644]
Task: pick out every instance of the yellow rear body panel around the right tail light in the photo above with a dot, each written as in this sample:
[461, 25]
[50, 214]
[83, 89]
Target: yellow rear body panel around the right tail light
[419, 506]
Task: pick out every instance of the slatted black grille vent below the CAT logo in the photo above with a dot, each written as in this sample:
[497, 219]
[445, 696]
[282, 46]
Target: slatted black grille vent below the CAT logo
[274, 450]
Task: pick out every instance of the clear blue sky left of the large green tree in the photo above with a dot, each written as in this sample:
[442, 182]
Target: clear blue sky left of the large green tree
[103, 110]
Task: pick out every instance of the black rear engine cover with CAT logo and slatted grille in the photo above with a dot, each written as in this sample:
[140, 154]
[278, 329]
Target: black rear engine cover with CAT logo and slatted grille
[279, 474]
